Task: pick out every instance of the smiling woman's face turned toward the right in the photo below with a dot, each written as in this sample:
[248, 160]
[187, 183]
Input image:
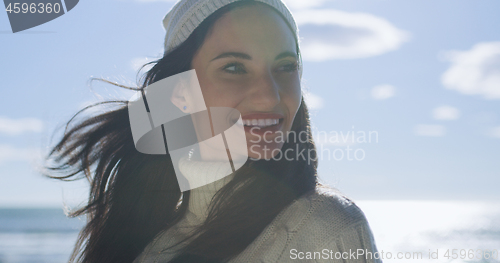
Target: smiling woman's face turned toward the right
[249, 62]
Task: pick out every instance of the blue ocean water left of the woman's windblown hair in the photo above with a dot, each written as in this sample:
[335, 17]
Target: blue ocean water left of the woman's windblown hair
[37, 235]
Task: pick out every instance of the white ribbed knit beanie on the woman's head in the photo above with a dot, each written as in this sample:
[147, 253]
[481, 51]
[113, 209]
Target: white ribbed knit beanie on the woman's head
[186, 15]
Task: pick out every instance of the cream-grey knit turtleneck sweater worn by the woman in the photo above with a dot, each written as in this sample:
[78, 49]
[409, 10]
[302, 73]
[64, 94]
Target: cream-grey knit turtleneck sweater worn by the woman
[323, 226]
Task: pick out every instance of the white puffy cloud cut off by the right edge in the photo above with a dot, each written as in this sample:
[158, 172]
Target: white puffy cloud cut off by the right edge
[475, 71]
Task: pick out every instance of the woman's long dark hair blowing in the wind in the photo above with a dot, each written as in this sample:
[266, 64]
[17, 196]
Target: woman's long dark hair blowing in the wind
[134, 196]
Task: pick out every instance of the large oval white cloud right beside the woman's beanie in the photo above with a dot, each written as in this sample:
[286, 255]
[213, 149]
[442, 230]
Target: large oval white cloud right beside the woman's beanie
[332, 34]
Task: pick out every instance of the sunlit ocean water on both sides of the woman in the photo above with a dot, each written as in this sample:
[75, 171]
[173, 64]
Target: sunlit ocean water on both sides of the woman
[404, 227]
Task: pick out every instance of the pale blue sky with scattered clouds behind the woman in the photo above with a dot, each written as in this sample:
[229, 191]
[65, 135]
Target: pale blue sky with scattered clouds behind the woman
[423, 75]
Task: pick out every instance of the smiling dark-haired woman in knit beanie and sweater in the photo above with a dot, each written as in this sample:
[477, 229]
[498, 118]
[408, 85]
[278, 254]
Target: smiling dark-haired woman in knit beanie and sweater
[246, 56]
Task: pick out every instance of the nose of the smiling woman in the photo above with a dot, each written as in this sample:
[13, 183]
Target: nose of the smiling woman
[265, 93]
